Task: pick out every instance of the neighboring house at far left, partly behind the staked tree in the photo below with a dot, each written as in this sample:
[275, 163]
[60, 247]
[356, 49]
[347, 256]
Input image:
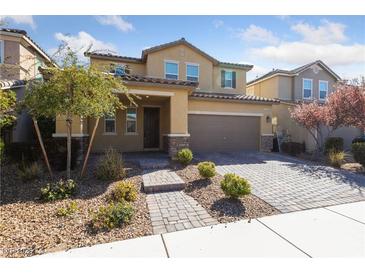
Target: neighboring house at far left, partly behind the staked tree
[20, 58]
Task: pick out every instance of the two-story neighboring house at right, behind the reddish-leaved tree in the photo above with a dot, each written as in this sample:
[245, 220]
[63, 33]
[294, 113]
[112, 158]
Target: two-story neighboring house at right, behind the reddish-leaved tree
[313, 81]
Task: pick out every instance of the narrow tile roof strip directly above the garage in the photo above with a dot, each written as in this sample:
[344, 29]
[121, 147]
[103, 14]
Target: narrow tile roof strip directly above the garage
[238, 97]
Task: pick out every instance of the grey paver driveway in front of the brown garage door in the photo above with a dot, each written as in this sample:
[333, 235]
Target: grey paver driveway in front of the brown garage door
[291, 184]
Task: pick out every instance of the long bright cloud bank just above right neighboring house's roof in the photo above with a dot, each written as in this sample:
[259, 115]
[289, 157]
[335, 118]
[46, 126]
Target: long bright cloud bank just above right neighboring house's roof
[302, 53]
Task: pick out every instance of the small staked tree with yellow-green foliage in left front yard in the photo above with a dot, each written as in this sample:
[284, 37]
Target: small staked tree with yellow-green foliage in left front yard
[75, 90]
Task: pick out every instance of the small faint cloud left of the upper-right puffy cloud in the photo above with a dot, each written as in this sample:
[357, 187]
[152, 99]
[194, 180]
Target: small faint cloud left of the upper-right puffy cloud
[258, 34]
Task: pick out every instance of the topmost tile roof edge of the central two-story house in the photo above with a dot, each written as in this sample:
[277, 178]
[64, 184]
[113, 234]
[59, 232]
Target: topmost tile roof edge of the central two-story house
[181, 41]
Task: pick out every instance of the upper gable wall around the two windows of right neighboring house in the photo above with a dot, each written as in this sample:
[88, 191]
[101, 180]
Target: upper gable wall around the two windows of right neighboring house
[309, 74]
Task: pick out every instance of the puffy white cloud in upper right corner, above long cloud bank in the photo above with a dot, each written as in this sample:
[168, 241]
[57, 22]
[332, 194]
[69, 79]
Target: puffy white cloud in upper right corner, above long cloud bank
[326, 33]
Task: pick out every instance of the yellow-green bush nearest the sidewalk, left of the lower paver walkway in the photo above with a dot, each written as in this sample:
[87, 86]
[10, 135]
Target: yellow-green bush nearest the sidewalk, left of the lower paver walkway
[112, 215]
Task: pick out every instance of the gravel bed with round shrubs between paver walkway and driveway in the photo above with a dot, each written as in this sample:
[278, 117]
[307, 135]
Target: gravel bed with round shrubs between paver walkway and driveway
[209, 194]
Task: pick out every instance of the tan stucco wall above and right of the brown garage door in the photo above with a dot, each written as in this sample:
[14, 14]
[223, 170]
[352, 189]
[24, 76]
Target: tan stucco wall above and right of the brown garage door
[216, 106]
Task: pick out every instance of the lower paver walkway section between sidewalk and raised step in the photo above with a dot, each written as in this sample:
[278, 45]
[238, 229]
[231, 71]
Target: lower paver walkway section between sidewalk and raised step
[173, 211]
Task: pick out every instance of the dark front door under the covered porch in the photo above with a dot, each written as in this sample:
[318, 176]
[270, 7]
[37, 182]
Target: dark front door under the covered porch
[151, 127]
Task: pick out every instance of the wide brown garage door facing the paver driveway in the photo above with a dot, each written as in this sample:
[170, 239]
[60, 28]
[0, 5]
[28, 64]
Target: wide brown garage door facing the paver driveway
[221, 133]
